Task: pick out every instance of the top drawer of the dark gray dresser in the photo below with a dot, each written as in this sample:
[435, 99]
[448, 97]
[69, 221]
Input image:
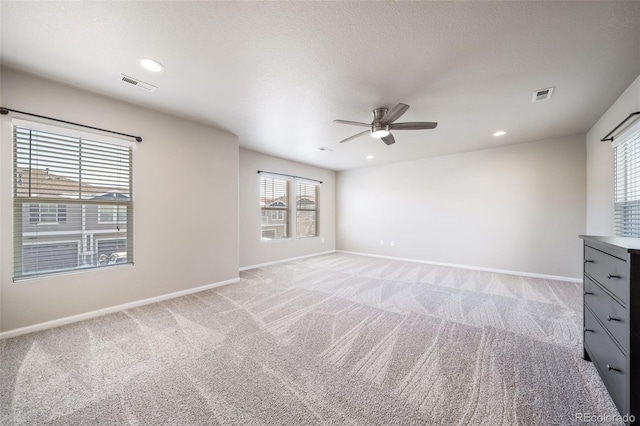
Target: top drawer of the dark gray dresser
[611, 272]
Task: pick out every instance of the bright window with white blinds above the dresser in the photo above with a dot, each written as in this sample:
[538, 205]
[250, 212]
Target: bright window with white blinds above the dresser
[627, 184]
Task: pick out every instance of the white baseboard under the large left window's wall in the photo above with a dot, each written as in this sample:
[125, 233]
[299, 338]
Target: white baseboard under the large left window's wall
[112, 309]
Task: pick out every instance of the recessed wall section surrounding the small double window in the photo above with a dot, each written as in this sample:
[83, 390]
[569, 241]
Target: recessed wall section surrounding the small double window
[252, 250]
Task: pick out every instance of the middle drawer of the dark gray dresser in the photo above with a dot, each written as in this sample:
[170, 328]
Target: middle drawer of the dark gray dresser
[613, 315]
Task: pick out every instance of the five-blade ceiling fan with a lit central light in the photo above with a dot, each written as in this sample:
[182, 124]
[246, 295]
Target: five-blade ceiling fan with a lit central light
[383, 123]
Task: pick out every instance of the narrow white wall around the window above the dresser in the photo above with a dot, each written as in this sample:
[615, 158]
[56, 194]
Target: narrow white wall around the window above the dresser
[600, 219]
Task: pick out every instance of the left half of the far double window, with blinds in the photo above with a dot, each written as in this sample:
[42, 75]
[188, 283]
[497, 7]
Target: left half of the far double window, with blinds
[274, 203]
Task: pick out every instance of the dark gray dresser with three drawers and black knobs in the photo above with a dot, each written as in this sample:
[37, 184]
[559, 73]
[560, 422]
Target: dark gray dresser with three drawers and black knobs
[612, 316]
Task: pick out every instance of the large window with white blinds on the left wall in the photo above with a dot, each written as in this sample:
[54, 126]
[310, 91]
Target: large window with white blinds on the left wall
[72, 202]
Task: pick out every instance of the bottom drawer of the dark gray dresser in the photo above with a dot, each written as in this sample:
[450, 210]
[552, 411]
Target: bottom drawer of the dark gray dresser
[611, 363]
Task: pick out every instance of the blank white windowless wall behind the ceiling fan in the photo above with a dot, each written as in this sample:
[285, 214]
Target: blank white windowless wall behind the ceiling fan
[518, 208]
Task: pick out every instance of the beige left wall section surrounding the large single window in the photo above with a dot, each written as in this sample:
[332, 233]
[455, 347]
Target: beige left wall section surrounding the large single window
[186, 206]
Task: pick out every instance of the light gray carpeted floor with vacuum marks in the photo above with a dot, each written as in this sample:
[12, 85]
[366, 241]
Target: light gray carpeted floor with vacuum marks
[333, 339]
